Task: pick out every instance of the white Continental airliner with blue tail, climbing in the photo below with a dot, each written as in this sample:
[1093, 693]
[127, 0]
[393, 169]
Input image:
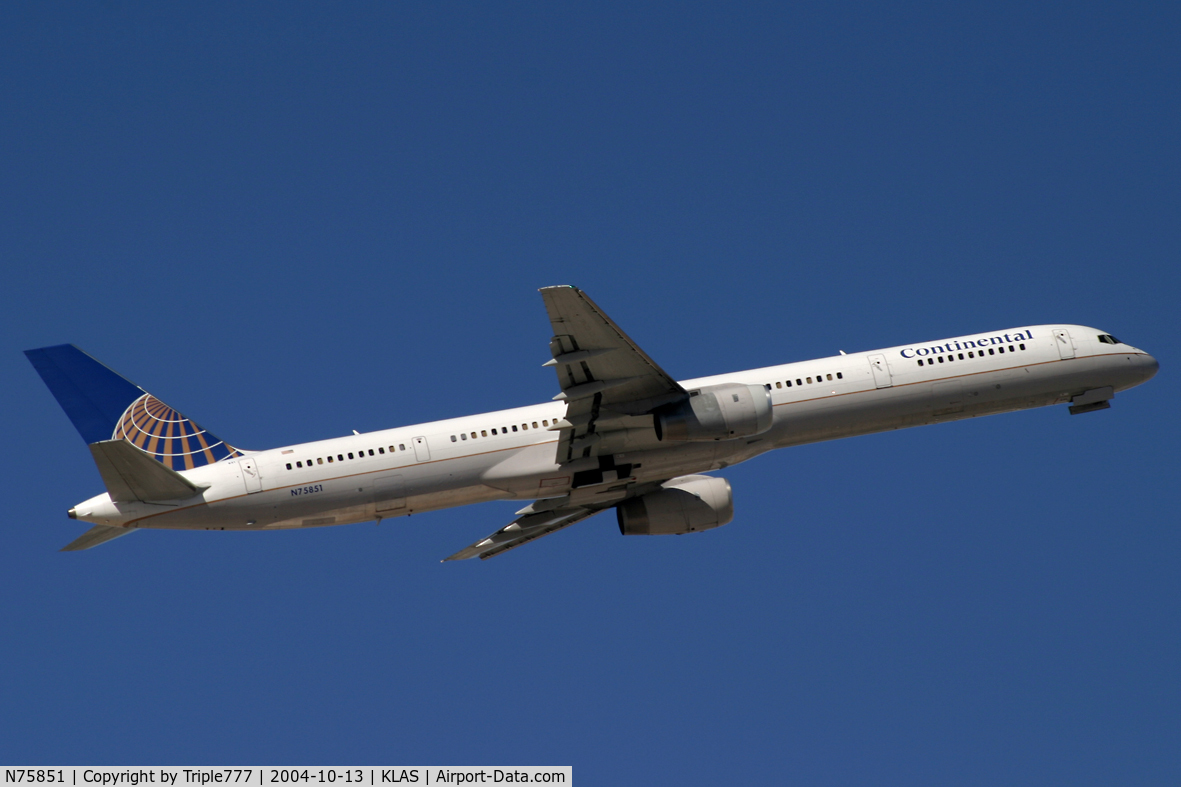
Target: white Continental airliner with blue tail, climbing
[621, 434]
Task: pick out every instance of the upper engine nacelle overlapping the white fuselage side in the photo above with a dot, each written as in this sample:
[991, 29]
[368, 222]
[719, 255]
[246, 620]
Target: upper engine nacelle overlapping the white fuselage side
[716, 413]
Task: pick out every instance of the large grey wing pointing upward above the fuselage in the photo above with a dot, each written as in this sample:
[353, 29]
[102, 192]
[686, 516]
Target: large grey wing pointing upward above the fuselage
[605, 378]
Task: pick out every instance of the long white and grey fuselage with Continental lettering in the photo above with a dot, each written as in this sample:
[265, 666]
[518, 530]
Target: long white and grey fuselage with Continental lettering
[512, 454]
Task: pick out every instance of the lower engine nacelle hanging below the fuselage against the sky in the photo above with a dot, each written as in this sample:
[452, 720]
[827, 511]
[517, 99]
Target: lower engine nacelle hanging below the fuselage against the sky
[684, 505]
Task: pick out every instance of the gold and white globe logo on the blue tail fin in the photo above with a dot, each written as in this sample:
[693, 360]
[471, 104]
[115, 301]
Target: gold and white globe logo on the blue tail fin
[165, 434]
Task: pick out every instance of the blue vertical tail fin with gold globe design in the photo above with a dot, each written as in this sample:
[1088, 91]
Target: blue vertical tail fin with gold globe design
[103, 406]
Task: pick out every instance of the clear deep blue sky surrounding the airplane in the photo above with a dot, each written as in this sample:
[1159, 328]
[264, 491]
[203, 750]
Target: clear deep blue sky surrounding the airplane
[290, 222]
